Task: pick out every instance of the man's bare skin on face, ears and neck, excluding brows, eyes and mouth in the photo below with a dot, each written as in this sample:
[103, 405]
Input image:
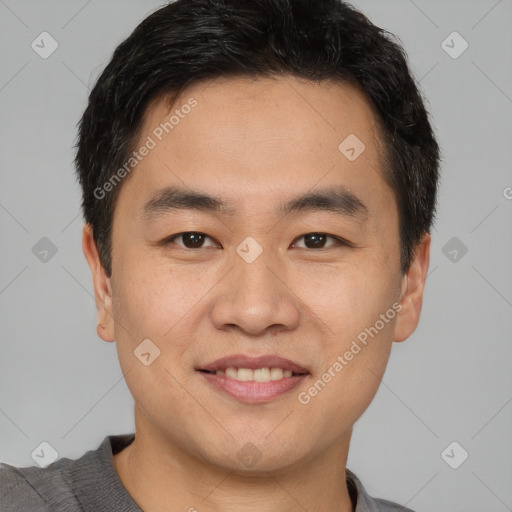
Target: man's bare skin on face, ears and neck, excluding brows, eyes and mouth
[254, 143]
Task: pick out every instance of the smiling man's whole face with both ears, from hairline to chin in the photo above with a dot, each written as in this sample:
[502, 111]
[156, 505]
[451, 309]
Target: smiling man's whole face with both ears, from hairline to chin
[259, 273]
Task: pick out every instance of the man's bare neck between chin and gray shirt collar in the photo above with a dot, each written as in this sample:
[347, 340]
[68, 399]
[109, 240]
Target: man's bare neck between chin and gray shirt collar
[148, 465]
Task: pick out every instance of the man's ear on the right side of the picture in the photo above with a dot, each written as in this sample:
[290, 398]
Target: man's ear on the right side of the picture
[411, 297]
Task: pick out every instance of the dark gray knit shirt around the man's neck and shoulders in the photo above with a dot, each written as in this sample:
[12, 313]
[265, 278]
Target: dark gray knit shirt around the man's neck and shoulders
[91, 484]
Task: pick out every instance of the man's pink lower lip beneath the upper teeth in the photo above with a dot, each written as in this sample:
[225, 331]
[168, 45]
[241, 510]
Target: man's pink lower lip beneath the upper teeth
[252, 392]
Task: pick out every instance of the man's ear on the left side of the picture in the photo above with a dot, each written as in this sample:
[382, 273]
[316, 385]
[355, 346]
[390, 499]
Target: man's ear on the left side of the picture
[102, 286]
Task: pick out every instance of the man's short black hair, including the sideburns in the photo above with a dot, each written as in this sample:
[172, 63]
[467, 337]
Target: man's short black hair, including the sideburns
[191, 40]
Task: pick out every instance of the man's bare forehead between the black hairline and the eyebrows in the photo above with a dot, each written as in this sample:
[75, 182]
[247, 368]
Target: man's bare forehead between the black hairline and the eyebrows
[245, 139]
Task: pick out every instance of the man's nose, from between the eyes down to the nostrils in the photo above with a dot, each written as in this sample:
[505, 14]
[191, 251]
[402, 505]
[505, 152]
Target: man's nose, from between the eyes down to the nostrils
[256, 297]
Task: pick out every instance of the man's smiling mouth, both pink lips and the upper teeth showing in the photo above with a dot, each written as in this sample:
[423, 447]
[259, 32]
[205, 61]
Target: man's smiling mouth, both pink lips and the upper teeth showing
[253, 379]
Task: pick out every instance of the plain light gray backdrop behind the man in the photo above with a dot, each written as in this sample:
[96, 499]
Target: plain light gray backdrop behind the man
[451, 381]
